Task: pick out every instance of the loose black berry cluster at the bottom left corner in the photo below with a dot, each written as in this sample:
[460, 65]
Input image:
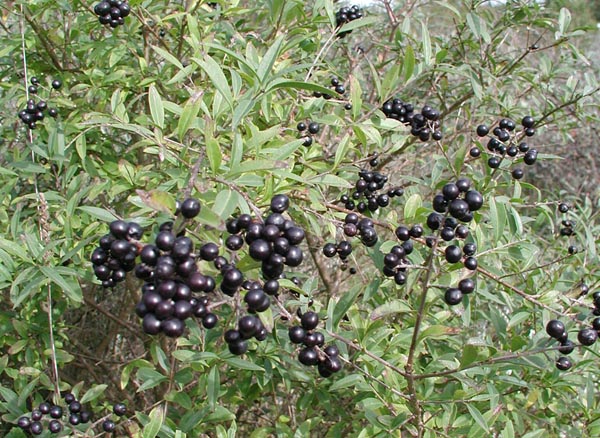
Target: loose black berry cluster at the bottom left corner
[34, 423]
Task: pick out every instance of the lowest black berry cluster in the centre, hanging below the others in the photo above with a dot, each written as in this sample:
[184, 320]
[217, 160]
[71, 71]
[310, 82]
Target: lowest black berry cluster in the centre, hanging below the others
[326, 359]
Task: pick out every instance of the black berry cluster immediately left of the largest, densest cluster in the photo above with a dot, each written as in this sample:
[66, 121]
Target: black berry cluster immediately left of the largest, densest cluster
[117, 252]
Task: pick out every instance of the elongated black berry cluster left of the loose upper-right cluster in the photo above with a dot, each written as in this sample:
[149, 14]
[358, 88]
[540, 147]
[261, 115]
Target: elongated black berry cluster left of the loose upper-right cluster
[424, 125]
